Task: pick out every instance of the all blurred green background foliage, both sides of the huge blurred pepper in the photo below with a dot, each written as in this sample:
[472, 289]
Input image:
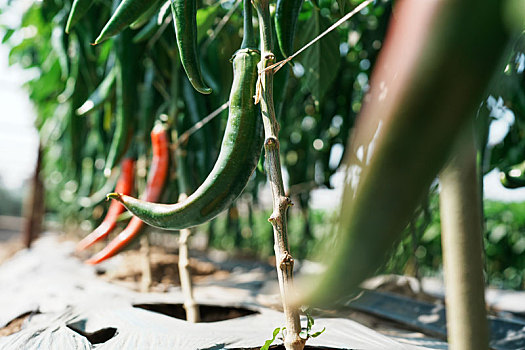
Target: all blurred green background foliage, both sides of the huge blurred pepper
[317, 100]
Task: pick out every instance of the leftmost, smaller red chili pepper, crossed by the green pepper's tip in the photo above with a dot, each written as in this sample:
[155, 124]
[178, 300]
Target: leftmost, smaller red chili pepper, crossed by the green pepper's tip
[124, 183]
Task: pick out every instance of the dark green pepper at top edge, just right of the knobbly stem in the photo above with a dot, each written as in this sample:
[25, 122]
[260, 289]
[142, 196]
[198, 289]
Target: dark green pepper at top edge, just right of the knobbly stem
[286, 15]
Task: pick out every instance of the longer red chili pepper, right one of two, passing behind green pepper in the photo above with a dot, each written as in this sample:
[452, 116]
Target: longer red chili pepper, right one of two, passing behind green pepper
[157, 176]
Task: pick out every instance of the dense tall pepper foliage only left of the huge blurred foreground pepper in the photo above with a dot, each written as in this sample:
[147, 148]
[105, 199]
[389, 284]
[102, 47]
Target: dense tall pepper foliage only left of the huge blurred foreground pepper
[315, 115]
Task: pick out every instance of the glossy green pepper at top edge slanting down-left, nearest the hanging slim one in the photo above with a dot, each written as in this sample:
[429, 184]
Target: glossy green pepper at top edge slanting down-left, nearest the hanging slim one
[126, 13]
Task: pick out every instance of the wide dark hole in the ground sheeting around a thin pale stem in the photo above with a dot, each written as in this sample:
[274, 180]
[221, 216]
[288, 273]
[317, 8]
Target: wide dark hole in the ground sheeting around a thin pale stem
[209, 313]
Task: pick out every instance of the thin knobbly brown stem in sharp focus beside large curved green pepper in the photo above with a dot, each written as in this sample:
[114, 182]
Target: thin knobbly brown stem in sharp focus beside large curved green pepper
[283, 259]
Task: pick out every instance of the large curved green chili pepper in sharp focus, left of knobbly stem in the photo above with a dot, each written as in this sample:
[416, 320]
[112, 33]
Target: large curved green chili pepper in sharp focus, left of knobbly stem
[238, 157]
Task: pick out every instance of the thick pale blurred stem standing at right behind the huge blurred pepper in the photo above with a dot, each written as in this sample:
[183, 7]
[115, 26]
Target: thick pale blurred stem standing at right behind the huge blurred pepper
[462, 249]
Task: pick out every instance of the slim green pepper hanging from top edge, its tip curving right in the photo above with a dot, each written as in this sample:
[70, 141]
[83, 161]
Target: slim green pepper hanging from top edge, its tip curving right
[184, 17]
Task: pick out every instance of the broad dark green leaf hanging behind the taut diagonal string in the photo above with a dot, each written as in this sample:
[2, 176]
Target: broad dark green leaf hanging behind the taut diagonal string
[321, 60]
